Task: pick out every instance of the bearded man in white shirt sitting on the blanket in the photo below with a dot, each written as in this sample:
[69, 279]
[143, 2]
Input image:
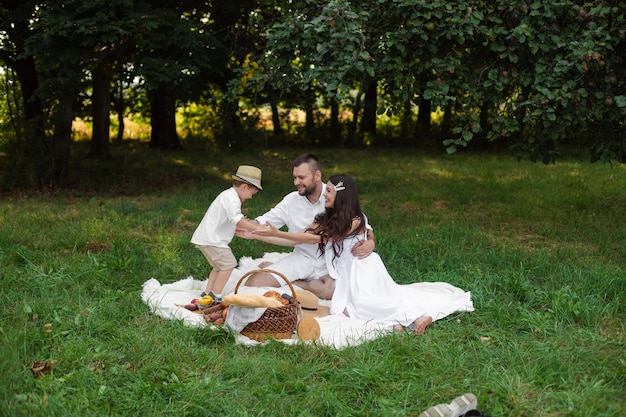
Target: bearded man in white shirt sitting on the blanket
[297, 210]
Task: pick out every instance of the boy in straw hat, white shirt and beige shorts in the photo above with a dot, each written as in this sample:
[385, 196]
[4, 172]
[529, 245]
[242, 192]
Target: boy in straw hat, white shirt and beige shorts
[217, 228]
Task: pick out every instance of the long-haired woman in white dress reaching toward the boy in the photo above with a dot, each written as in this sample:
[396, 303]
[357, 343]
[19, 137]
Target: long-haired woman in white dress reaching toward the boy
[364, 289]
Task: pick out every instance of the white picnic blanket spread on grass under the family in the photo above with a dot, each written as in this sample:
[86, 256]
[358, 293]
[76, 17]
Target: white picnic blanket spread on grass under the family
[165, 300]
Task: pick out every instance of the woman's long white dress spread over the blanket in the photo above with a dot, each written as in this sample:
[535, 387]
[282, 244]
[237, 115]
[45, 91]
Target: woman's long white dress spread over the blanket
[364, 289]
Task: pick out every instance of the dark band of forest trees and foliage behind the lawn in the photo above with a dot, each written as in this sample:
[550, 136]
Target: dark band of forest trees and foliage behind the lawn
[531, 76]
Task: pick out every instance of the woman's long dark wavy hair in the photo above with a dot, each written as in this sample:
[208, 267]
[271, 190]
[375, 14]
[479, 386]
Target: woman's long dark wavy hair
[335, 224]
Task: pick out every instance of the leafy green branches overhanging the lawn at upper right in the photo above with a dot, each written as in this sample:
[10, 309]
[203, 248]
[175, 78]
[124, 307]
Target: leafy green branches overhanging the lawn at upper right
[538, 74]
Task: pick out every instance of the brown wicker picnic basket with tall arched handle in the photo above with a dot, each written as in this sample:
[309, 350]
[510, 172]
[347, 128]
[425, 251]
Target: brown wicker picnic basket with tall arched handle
[276, 322]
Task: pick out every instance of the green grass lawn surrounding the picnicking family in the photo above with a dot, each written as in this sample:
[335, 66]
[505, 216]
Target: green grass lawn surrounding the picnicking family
[541, 248]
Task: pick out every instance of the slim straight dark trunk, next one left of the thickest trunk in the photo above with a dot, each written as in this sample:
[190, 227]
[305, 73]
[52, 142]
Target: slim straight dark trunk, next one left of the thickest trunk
[101, 100]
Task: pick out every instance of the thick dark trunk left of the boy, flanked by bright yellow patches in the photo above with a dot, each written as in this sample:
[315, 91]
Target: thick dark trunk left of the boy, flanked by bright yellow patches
[163, 120]
